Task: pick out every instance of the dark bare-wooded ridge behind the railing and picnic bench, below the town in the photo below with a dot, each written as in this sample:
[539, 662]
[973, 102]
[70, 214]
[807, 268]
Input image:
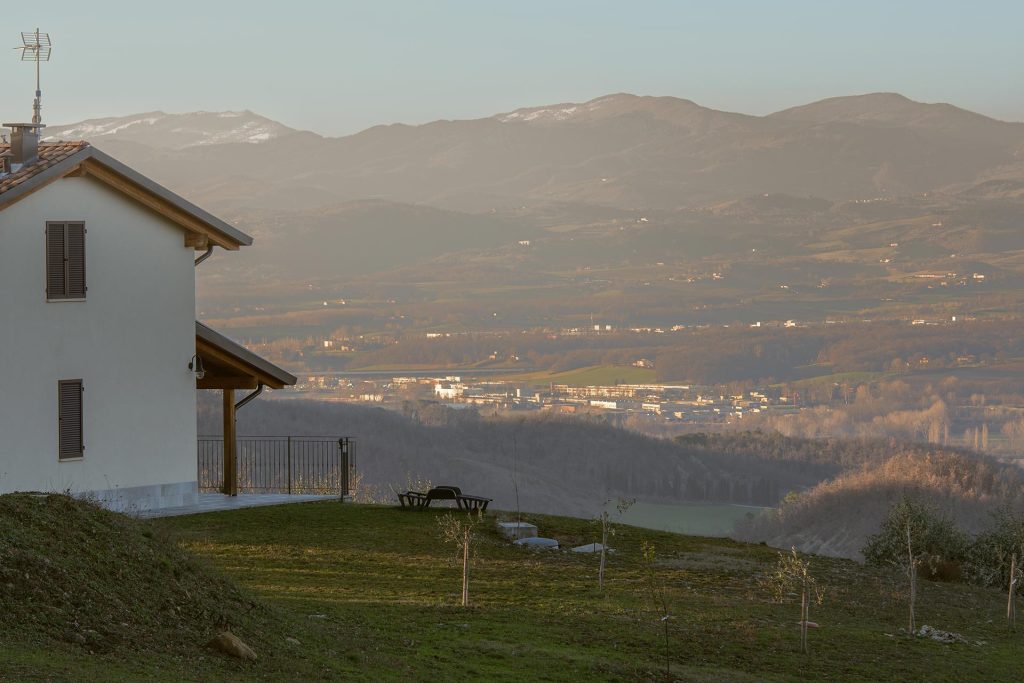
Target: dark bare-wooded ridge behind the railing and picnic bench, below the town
[562, 466]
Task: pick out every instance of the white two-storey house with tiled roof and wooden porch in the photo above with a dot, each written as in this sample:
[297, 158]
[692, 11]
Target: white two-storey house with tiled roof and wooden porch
[99, 340]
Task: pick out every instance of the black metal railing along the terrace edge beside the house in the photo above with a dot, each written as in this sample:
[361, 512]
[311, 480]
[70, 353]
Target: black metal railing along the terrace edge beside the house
[281, 464]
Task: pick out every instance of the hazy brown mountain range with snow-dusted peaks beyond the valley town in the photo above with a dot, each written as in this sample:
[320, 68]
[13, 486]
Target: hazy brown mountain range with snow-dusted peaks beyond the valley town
[643, 210]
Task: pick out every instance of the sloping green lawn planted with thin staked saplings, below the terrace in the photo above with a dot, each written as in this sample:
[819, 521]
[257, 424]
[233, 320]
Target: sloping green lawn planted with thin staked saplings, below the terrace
[371, 594]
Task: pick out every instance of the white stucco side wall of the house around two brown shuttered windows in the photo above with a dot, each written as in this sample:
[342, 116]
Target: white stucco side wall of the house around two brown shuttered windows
[130, 343]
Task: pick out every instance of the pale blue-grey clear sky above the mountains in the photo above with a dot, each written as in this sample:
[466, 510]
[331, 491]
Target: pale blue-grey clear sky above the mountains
[339, 67]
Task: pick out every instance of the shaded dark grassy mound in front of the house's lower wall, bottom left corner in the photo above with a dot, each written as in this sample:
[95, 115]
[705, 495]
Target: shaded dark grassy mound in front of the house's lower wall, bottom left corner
[89, 594]
